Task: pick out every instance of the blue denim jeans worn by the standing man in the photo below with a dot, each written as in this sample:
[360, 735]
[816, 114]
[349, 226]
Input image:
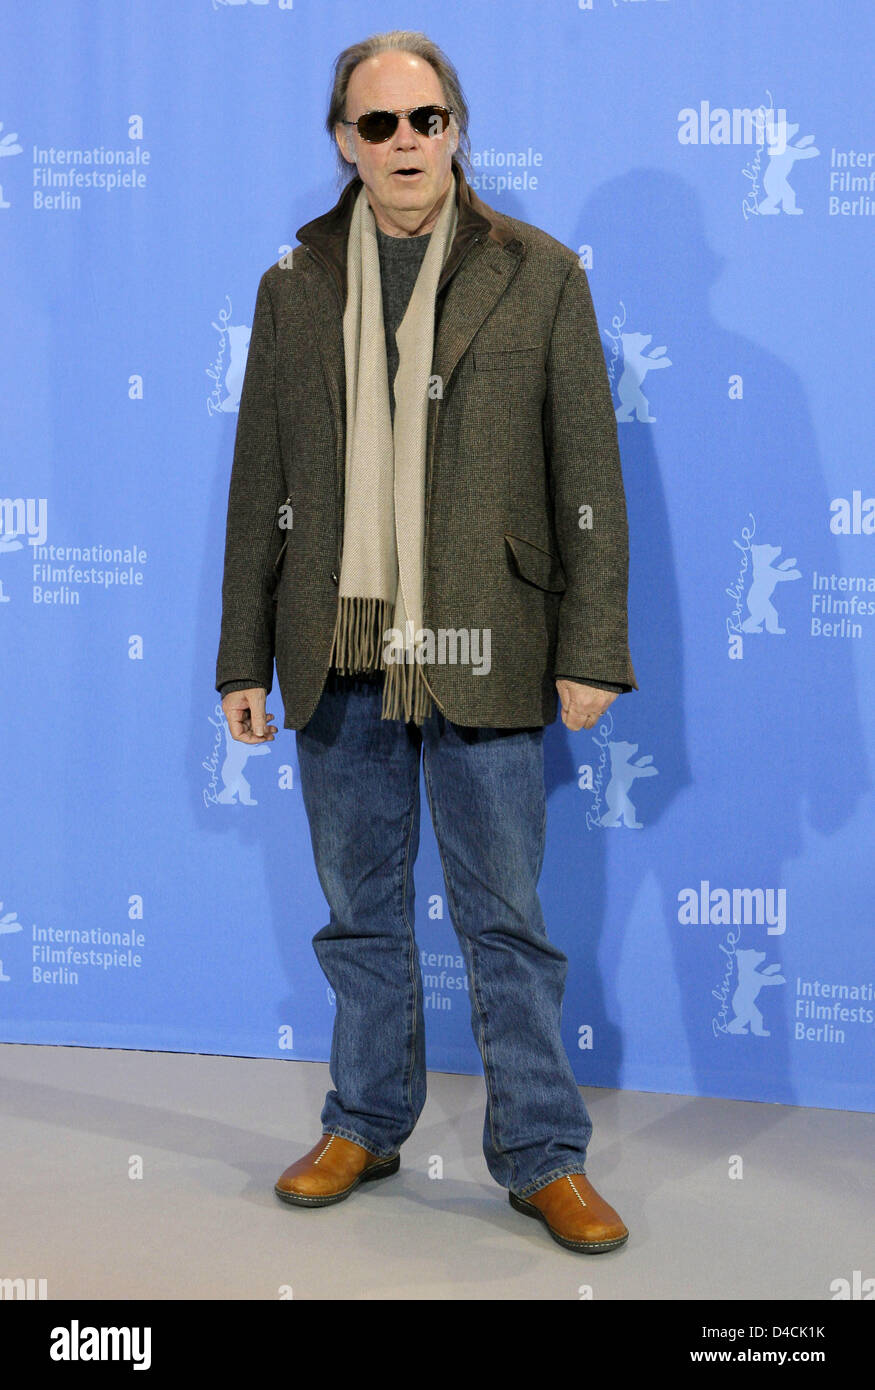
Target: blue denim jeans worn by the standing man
[360, 778]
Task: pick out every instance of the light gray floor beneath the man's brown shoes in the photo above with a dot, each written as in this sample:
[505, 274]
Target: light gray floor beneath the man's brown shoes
[215, 1134]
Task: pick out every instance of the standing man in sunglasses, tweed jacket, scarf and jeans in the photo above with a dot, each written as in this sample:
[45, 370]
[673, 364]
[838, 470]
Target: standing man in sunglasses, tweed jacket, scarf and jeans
[428, 532]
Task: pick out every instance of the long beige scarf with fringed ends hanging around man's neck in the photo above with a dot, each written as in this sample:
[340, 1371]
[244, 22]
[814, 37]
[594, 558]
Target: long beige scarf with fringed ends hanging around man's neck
[382, 571]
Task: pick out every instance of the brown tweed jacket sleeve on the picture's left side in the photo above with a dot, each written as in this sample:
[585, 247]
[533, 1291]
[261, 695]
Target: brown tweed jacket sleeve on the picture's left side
[254, 537]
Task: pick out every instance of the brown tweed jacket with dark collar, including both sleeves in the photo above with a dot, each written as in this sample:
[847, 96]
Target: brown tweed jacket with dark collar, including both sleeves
[521, 443]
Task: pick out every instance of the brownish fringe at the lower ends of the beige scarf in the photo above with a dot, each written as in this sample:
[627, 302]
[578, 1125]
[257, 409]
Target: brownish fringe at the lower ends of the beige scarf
[360, 644]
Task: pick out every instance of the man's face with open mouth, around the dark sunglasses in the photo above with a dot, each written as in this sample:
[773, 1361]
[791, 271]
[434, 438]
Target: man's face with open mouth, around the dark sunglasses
[403, 204]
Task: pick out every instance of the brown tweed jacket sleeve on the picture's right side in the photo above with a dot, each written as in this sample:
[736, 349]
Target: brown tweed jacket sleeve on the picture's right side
[585, 469]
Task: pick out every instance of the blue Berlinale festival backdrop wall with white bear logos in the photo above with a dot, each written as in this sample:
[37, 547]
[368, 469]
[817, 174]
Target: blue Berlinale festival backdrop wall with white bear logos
[710, 868]
